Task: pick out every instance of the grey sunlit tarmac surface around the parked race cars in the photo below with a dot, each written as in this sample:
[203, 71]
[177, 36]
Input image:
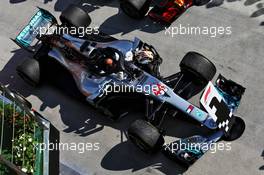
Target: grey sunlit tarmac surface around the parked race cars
[238, 56]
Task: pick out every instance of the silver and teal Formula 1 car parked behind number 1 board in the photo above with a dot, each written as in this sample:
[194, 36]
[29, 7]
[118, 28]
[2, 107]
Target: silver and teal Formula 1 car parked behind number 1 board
[110, 73]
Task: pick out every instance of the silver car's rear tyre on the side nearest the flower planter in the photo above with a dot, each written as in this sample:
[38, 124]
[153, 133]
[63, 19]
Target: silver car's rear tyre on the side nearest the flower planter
[29, 71]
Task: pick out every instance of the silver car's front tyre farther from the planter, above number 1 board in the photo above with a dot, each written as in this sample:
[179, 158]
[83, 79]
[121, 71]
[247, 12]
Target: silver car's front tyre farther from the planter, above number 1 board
[199, 66]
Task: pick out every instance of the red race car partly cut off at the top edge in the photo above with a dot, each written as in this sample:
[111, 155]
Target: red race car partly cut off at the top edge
[164, 11]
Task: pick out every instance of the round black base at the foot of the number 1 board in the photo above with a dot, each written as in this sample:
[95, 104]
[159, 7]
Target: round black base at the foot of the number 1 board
[236, 131]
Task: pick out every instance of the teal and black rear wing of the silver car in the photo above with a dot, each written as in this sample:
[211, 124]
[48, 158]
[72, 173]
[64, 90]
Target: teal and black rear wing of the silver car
[41, 20]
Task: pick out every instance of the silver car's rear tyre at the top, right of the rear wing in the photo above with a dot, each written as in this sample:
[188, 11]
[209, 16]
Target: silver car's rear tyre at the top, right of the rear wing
[74, 16]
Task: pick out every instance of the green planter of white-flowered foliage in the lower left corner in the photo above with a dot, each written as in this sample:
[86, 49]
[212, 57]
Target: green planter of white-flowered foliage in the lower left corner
[19, 133]
